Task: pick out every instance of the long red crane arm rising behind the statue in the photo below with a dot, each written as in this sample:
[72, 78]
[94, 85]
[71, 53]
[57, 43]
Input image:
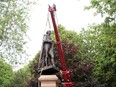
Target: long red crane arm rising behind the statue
[67, 82]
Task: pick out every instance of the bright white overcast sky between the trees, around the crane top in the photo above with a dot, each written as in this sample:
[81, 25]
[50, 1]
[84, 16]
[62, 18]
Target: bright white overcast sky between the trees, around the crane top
[70, 14]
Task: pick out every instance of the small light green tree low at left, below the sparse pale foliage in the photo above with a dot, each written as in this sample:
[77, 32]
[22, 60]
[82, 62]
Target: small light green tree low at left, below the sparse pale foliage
[20, 77]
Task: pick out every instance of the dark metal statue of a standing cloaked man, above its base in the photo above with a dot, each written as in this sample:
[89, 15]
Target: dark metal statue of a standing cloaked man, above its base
[47, 55]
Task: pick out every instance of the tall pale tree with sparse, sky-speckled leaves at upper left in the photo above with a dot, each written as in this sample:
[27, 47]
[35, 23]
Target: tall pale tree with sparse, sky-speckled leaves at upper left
[13, 27]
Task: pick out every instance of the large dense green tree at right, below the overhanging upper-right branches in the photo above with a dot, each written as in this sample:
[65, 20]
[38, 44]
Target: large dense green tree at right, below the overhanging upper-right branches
[99, 45]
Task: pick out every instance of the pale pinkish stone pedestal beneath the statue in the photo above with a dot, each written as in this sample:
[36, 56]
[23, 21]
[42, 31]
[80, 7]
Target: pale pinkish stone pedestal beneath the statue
[48, 80]
